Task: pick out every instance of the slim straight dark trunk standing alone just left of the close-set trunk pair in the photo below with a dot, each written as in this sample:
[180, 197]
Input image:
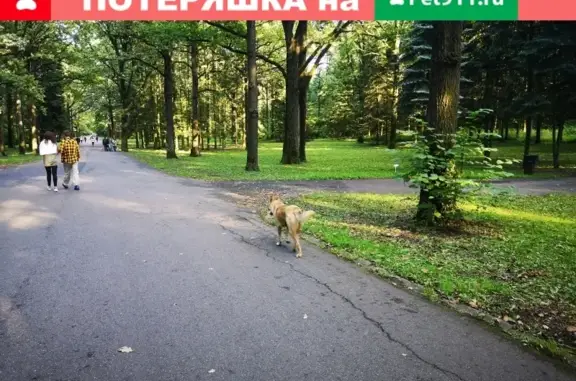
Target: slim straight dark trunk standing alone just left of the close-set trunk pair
[252, 129]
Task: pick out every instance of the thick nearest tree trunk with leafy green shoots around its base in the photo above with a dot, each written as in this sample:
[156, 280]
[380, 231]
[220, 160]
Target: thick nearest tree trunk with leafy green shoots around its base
[442, 111]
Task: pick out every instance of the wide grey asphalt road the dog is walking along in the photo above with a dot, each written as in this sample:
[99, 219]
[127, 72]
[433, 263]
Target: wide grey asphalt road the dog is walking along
[200, 292]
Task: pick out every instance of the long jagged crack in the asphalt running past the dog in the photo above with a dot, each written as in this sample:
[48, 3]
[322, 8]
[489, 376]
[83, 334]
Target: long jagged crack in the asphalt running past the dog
[374, 322]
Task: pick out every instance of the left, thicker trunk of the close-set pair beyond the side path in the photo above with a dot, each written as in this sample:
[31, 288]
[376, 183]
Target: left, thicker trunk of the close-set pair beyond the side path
[291, 146]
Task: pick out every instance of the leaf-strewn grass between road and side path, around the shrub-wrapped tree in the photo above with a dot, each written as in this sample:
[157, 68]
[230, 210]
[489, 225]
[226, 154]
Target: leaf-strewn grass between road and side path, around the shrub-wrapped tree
[515, 257]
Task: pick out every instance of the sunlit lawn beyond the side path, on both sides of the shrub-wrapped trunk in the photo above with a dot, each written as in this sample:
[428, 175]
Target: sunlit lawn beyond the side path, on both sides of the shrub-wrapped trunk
[332, 160]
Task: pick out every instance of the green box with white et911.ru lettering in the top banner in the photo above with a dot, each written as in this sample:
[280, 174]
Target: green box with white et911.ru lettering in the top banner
[429, 10]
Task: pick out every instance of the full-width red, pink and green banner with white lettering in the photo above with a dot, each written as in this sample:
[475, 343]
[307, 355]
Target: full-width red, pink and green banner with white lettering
[365, 10]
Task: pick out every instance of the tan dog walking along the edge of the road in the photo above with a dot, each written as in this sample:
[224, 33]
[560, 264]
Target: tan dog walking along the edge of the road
[290, 217]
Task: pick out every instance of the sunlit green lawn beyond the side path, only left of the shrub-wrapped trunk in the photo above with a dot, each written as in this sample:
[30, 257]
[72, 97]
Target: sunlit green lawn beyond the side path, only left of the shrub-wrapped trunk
[327, 159]
